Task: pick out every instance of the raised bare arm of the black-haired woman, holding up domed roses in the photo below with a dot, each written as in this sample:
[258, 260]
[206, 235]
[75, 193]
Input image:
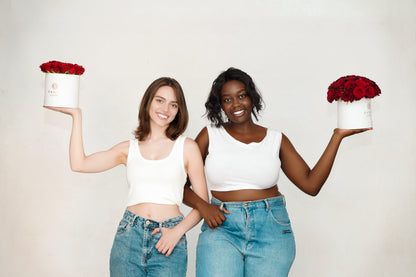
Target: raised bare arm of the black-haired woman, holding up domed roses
[309, 180]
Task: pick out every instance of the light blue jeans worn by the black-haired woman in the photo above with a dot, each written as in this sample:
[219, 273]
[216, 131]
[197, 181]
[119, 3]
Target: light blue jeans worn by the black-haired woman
[256, 239]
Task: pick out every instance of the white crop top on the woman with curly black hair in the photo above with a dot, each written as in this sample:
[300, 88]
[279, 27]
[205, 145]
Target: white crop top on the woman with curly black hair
[234, 165]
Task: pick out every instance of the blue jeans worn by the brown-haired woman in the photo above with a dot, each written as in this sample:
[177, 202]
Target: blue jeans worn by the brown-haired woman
[134, 253]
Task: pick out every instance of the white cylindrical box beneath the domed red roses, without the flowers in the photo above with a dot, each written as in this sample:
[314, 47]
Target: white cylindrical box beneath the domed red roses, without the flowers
[354, 115]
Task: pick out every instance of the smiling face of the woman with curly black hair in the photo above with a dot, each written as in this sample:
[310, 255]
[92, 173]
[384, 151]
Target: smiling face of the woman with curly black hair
[235, 102]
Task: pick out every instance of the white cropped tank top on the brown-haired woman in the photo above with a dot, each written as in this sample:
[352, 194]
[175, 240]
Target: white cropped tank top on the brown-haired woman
[156, 181]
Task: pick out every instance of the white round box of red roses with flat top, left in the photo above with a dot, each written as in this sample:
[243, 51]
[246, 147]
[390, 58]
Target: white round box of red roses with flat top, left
[61, 83]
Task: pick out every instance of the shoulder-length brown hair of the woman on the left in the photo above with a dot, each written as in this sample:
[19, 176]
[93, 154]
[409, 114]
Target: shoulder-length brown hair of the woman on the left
[178, 125]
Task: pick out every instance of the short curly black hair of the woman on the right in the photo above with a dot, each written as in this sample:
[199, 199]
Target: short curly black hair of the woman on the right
[213, 103]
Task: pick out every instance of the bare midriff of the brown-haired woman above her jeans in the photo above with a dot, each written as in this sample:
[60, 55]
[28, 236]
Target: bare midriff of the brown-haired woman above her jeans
[156, 212]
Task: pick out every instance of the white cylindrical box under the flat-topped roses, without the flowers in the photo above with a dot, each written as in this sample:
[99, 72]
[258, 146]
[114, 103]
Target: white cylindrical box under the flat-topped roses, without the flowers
[61, 90]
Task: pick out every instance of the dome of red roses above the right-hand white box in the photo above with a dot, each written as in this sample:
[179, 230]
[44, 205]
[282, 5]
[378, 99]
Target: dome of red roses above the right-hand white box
[352, 88]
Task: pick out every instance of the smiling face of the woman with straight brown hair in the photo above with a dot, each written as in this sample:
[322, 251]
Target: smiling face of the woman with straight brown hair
[164, 107]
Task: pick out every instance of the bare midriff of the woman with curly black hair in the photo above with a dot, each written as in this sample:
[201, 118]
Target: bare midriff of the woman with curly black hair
[246, 194]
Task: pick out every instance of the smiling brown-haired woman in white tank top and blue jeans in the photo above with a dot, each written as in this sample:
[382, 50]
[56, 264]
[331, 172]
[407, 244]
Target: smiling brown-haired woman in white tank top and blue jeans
[150, 239]
